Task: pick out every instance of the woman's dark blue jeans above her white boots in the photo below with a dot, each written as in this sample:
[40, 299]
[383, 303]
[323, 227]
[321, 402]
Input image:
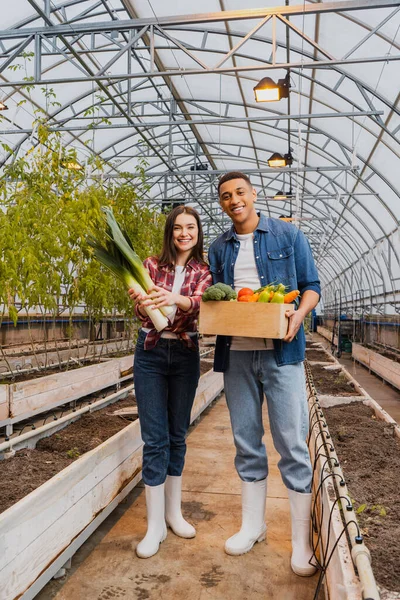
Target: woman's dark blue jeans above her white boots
[166, 379]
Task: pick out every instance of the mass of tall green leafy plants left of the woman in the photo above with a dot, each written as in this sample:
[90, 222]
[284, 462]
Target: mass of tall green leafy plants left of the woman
[47, 209]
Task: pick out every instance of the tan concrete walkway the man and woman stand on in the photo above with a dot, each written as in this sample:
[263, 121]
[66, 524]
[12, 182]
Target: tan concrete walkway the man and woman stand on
[106, 567]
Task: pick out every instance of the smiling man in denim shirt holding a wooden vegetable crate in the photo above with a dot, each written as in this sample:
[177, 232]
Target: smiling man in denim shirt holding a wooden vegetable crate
[256, 251]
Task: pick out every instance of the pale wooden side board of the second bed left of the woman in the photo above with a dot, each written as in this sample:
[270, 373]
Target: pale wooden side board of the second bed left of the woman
[25, 399]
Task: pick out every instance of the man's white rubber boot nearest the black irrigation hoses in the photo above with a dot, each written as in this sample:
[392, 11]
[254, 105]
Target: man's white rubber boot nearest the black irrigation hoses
[300, 511]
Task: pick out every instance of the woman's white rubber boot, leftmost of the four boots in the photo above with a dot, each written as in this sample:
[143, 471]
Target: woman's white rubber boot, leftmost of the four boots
[156, 527]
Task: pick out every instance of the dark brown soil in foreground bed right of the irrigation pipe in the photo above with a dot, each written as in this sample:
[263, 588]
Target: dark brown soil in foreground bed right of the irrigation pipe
[370, 458]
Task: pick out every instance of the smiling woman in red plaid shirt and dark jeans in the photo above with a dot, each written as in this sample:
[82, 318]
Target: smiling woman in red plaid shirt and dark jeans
[167, 370]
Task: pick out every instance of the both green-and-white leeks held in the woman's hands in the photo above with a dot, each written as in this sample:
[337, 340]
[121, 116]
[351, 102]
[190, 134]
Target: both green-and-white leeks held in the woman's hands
[117, 254]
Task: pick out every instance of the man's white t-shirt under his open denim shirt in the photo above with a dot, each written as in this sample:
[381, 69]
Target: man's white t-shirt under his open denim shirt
[246, 275]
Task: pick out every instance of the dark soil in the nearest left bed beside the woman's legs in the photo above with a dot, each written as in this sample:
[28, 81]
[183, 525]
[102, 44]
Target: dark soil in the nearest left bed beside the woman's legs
[29, 469]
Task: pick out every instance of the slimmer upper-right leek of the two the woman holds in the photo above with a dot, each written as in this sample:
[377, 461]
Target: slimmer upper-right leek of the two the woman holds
[124, 244]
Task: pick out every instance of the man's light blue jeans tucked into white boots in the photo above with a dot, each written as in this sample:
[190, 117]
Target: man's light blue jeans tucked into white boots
[250, 375]
